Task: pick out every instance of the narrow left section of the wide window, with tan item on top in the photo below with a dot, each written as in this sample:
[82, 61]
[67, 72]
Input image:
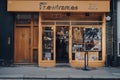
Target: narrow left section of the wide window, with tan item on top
[77, 42]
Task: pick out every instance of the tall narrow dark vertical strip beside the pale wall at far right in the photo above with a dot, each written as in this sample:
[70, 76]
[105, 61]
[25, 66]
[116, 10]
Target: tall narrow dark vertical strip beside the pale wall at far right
[114, 23]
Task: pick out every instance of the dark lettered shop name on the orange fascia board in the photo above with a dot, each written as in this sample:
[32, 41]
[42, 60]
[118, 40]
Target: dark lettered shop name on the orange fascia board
[44, 6]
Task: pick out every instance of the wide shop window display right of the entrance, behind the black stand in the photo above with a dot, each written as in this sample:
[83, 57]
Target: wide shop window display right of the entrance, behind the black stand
[86, 39]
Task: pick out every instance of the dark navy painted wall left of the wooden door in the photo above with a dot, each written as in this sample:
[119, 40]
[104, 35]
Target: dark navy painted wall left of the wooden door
[6, 31]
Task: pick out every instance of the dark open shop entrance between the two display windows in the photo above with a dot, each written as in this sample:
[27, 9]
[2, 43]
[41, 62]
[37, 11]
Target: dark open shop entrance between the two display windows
[62, 44]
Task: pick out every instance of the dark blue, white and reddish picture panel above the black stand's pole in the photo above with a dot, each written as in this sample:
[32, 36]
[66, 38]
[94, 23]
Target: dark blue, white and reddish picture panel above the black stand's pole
[92, 39]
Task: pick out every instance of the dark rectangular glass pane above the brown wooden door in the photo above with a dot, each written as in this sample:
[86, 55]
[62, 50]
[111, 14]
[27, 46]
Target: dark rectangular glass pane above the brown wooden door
[23, 18]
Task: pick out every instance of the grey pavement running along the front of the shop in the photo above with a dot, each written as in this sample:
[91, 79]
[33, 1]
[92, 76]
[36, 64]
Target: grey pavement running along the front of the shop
[58, 73]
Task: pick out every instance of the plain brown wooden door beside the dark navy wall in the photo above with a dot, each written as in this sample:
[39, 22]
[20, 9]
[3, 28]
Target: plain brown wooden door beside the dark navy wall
[22, 45]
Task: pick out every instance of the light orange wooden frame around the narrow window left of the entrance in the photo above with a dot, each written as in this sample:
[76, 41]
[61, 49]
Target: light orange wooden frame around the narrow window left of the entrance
[46, 63]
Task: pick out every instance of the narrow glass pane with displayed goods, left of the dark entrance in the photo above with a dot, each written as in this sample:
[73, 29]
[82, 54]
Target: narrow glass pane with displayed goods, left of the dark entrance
[47, 43]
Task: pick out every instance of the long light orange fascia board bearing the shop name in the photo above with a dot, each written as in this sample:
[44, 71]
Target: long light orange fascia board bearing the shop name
[60, 6]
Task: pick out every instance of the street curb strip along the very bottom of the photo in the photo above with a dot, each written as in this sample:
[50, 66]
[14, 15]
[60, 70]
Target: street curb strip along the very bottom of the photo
[69, 77]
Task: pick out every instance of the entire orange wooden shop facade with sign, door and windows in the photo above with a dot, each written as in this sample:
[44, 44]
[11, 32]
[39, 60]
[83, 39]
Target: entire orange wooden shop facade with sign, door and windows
[50, 32]
